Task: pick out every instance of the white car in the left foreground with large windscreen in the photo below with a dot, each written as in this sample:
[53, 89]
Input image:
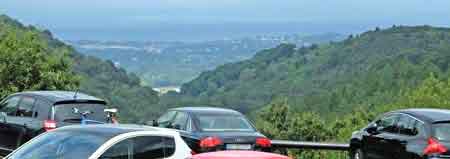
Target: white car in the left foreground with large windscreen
[105, 142]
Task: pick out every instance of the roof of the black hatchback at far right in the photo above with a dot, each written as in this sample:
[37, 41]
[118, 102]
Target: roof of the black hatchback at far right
[429, 115]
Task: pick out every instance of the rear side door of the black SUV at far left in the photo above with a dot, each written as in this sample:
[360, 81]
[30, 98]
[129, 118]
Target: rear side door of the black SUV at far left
[21, 123]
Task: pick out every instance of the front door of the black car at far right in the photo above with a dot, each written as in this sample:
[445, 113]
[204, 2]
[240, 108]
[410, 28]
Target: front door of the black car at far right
[376, 144]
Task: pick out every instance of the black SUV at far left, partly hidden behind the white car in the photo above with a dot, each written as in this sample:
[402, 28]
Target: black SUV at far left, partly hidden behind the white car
[28, 114]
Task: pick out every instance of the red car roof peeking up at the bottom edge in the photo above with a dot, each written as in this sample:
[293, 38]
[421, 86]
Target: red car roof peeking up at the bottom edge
[238, 155]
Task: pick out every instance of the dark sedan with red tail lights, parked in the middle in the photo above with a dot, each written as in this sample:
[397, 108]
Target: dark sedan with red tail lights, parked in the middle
[208, 129]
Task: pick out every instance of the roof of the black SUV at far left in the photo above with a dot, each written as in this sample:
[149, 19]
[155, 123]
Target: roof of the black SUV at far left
[62, 96]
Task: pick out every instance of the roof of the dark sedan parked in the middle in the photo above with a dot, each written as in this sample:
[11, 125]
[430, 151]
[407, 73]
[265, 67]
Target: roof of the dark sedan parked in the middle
[203, 109]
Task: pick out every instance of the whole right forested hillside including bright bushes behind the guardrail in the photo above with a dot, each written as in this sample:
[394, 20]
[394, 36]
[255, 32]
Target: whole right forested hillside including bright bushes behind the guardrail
[325, 92]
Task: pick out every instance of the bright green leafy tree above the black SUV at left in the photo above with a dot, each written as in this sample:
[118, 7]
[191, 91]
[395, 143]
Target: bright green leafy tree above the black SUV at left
[26, 63]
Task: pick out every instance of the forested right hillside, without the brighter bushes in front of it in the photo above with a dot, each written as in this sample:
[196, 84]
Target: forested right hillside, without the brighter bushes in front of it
[367, 70]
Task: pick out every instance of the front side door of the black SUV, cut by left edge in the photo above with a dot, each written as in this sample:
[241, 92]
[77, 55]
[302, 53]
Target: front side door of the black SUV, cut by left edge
[8, 110]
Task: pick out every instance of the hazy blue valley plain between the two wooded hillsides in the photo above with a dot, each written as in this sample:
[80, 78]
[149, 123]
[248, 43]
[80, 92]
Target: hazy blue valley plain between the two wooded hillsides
[162, 64]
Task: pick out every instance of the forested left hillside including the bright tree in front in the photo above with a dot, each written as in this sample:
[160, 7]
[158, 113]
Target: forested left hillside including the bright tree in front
[37, 61]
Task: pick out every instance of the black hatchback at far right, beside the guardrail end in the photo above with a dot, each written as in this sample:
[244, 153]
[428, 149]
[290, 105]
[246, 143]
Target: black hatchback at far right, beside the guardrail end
[404, 134]
